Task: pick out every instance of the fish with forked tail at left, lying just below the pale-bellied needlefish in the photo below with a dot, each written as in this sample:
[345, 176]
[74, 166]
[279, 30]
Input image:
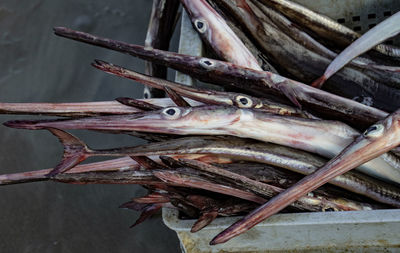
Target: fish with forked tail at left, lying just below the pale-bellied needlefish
[227, 149]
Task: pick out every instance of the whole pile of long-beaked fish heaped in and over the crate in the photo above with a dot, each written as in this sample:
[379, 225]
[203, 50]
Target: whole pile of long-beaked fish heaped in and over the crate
[271, 140]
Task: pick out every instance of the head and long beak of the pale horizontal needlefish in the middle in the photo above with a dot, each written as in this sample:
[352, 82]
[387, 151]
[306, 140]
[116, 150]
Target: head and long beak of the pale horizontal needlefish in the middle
[170, 120]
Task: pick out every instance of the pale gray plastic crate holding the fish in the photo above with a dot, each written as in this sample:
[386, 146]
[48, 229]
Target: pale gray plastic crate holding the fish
[364, 231]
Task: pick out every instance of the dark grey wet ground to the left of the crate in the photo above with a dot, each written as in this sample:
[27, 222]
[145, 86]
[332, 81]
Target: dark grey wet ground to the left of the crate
[37, 66]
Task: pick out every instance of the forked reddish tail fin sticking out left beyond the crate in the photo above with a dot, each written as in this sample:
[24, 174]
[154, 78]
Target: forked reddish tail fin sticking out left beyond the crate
[75, 151]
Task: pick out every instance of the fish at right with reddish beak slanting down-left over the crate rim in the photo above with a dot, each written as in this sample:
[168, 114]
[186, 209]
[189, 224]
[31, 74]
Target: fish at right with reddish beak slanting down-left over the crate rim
[376, 140]
